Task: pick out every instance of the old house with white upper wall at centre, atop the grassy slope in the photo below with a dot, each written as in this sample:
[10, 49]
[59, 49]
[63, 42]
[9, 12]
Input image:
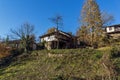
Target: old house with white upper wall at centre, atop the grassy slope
[58, 39]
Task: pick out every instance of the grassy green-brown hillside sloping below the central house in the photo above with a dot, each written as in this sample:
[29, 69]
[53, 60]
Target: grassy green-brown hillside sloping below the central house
[66, 64]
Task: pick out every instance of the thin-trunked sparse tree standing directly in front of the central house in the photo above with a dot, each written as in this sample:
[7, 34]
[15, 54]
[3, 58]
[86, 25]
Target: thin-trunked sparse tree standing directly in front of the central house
[58, 21]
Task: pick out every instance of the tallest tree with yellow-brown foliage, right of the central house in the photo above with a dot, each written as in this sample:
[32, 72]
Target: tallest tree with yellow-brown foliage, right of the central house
[91, 18]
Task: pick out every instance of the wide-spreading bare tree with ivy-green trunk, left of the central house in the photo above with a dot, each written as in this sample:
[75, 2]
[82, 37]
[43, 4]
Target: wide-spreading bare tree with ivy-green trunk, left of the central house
[25, 34]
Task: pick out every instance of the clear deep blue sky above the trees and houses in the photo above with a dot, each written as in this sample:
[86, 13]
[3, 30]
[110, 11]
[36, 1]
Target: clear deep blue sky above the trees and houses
[13, 13]
